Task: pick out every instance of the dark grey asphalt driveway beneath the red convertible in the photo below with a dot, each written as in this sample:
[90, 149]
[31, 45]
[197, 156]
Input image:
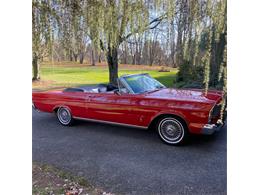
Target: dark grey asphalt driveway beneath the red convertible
[131, 161]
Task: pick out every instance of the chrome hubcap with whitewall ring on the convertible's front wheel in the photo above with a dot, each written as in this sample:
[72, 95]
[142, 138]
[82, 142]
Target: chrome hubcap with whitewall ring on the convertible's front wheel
[171, 130]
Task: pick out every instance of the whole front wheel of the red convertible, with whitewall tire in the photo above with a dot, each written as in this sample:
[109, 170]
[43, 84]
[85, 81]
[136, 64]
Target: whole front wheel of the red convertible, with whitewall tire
[172, 131]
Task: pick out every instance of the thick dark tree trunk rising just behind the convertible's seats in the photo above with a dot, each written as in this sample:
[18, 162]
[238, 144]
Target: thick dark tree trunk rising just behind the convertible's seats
[112, 60]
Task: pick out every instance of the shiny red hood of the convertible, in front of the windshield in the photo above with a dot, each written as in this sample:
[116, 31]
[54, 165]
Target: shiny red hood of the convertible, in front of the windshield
[186, 95]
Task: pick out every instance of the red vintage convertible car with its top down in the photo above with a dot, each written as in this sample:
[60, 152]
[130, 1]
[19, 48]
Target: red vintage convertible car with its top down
[139, 101]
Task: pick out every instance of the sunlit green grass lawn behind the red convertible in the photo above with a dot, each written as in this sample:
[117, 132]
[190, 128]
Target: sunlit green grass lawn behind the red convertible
[71, 76]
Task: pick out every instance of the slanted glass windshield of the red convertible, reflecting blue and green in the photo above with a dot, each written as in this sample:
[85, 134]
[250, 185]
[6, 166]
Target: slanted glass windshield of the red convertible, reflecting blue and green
[143, 83]
